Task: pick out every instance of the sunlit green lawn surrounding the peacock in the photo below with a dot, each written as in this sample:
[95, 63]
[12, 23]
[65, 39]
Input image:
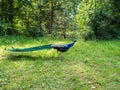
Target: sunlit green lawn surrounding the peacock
[90, 65]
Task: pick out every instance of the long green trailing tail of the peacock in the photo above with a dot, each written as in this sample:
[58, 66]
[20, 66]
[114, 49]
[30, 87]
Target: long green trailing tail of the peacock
[30, 49]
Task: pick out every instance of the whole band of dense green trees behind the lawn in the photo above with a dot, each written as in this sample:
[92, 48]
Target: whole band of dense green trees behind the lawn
[79, 18]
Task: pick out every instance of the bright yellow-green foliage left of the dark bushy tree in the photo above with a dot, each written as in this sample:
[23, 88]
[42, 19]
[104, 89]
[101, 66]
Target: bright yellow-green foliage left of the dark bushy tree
[85, 10]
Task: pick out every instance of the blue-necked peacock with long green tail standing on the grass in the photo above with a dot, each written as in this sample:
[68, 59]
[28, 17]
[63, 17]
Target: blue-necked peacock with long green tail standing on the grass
[58, 47]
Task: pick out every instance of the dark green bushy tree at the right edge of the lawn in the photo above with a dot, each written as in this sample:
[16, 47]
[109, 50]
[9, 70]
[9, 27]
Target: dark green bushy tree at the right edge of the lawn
[104, 22]
